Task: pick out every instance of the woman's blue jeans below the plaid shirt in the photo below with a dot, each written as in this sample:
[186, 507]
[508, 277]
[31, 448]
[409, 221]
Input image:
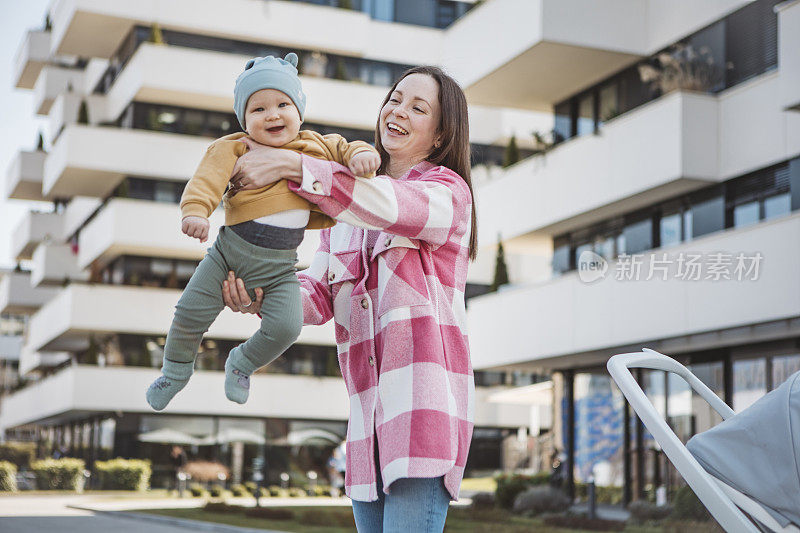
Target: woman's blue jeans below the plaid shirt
[416, 505]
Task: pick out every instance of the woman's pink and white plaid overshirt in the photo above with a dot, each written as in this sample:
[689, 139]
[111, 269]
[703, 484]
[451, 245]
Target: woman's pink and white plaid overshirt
[399, 316]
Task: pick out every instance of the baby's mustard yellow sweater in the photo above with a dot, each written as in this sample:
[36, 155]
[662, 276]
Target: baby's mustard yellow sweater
[203, 192]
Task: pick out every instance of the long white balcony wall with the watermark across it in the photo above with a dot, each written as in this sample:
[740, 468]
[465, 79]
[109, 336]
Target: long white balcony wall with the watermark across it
[541, 325]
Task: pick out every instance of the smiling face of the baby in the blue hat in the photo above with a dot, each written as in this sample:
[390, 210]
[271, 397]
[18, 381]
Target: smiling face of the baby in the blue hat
[271, 118]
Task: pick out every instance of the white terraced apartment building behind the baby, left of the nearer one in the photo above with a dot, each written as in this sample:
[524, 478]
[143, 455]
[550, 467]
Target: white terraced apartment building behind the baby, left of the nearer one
[133, 93]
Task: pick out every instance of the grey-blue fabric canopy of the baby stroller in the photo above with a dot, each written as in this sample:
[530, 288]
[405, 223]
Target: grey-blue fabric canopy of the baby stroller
[757, 451]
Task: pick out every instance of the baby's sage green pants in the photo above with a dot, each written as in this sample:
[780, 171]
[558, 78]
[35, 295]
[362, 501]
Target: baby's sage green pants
[201, 303]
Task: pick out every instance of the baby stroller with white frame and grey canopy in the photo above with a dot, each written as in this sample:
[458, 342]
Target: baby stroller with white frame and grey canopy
[726, 504]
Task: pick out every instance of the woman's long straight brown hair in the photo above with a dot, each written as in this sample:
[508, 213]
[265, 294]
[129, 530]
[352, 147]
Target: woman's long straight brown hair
[454, 151]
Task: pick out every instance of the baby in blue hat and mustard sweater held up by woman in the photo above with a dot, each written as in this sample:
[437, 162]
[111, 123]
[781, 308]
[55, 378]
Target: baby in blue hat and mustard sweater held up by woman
[262, 230]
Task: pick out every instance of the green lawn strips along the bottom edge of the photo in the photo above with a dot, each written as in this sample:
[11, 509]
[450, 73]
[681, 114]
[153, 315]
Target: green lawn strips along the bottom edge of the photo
[340, 520]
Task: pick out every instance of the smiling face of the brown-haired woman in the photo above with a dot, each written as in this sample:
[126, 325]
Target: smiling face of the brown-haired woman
[409, 121]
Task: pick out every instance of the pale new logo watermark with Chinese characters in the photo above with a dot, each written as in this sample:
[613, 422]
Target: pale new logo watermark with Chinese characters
[683, 266]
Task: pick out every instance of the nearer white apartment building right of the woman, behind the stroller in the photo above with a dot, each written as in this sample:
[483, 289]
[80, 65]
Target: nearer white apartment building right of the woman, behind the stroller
[676, 168]
